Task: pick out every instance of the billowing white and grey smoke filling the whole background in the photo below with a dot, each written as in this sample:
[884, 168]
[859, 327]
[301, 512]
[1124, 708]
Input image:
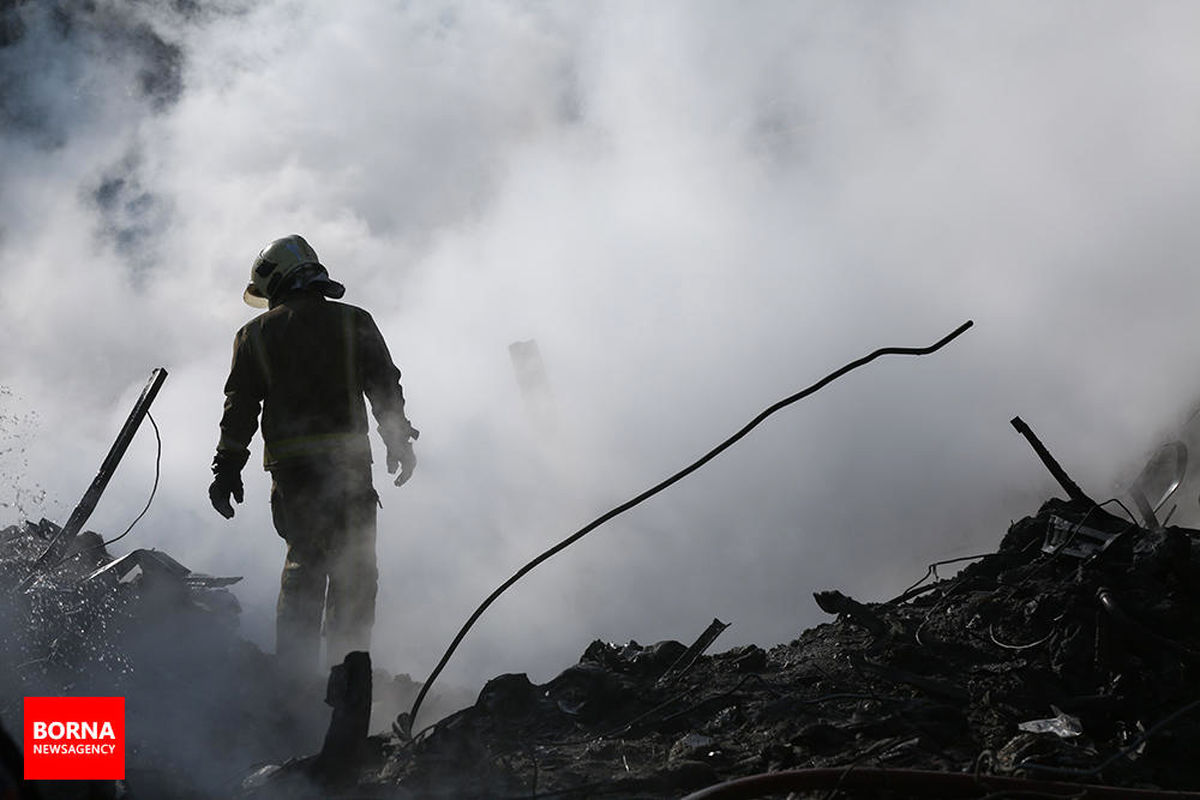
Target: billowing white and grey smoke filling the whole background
[694, 208]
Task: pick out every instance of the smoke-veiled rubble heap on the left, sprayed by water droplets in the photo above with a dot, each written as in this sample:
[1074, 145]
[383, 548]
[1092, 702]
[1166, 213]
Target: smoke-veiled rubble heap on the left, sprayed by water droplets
[201, 702]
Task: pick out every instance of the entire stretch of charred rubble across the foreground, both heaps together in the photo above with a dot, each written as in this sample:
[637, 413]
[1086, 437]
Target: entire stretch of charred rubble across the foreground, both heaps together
[1066, 664]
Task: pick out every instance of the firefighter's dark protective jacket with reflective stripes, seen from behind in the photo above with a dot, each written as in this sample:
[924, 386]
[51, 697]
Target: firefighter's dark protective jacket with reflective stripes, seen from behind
[308, 363]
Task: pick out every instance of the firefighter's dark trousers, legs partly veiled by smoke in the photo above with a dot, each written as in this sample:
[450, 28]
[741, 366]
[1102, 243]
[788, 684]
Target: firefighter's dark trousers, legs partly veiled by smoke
[327, 514]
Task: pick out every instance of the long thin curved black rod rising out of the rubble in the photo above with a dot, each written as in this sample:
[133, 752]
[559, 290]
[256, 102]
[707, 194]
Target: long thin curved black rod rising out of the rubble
[651, 492]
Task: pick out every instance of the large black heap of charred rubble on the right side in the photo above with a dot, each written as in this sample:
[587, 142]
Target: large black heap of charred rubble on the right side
[1070, 655]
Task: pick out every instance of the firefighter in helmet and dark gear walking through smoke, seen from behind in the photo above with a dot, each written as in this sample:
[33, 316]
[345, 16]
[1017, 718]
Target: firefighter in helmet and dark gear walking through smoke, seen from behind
[308, 363]
